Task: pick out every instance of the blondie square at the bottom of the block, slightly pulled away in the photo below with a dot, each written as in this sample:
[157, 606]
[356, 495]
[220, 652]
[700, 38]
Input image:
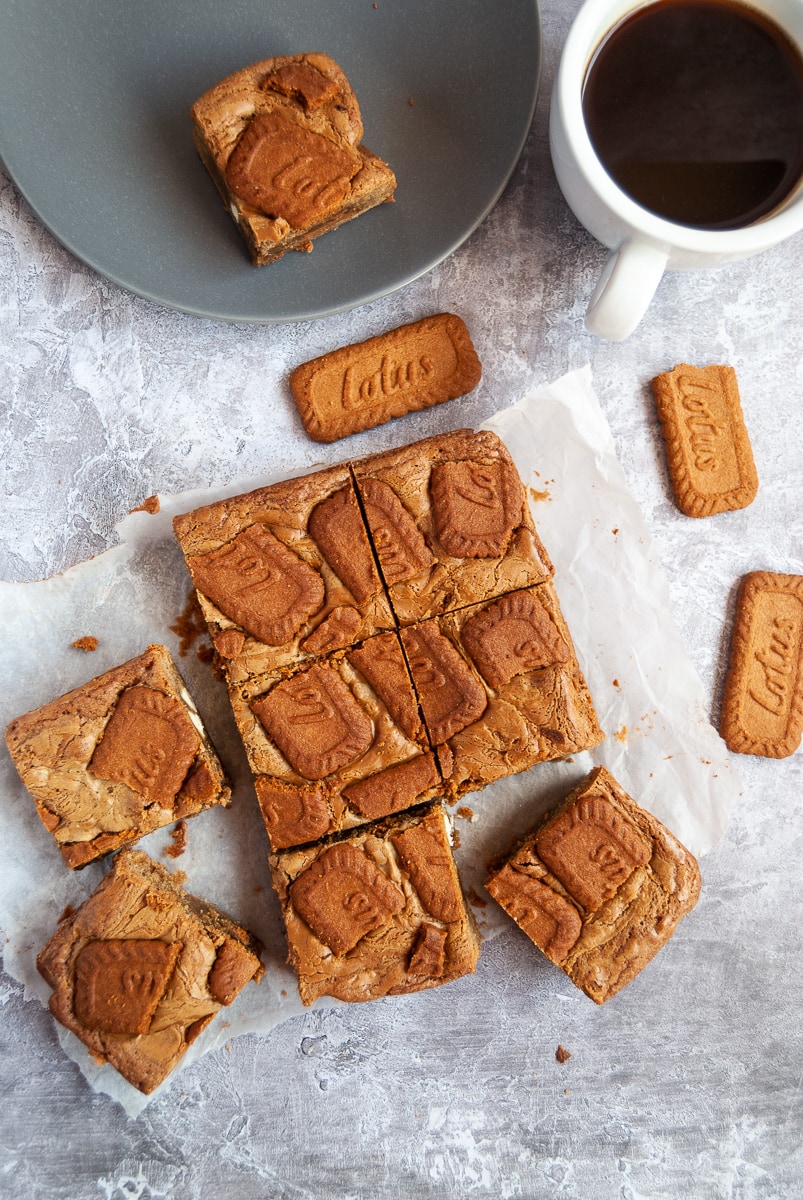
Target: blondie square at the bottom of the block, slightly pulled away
[377, 913]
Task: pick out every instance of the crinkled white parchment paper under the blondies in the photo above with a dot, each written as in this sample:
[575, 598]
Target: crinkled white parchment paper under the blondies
[660, 743]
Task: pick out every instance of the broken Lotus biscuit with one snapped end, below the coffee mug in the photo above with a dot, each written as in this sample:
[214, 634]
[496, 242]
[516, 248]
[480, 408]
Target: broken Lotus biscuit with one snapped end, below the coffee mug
[708, 446]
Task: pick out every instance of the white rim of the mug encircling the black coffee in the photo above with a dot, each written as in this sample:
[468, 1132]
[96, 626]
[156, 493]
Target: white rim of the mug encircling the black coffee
[586, 33]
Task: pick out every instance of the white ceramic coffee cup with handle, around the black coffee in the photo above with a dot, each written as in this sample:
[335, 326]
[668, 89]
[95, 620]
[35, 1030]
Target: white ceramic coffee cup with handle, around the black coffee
[643, 245]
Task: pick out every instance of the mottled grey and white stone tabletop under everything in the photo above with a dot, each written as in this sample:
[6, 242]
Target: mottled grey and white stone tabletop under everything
[688, 1084]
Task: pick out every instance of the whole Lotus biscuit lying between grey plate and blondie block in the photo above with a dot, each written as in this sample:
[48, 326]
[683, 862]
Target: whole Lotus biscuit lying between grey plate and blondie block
[403, 371]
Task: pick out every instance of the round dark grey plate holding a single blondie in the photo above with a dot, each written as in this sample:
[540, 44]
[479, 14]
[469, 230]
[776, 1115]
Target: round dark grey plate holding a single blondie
[95, 133]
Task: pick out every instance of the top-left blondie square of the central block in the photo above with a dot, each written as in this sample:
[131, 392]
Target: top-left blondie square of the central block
[285, 573]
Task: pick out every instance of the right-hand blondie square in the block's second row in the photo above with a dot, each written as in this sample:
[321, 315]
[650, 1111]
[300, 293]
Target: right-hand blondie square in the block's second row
[500, 688]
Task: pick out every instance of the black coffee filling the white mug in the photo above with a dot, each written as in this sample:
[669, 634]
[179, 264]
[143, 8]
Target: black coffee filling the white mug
[696, 107]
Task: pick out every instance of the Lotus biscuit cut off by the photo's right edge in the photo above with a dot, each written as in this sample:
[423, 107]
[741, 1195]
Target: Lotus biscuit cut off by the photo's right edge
[763, 703]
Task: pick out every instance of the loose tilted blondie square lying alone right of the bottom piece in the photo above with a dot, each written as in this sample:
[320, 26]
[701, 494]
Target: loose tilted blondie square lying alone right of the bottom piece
[600, 887]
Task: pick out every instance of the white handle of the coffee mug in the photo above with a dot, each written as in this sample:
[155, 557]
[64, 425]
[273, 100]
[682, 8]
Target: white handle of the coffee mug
[626, 287]
